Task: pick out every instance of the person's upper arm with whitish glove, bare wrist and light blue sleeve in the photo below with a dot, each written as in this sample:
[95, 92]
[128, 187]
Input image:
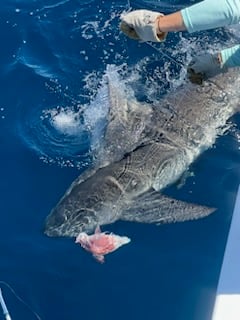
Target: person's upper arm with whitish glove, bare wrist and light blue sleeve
[148, 25]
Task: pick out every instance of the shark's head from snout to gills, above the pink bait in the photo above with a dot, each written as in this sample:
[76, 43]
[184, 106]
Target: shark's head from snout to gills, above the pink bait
[86, 205]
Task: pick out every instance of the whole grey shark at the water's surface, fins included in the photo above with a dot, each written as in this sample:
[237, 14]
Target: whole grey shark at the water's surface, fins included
[150, 147]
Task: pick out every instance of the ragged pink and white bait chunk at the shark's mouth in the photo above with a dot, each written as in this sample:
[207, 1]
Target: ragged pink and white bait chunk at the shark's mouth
[101, 243]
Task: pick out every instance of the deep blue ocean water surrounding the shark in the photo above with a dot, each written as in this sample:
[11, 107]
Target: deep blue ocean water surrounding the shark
[53, 58]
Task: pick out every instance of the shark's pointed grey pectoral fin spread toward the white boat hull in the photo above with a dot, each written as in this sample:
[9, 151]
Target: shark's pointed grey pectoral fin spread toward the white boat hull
[153, 207]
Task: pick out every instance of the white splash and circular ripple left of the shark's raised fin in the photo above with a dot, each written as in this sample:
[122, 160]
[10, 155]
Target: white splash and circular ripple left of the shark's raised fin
[68, 135]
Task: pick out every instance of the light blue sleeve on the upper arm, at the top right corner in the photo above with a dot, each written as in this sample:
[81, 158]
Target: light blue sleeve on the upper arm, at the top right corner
[209, 14]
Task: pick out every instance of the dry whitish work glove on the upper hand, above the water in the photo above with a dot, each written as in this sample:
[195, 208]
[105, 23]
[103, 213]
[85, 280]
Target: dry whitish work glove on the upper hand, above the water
[142, 25]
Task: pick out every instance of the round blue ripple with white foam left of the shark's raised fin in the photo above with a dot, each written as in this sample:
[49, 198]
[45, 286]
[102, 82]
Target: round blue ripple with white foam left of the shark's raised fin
[58, 135]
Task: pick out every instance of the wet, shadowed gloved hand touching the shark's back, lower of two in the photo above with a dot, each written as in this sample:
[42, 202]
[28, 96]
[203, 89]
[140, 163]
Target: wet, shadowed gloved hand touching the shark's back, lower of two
[204, 67]
